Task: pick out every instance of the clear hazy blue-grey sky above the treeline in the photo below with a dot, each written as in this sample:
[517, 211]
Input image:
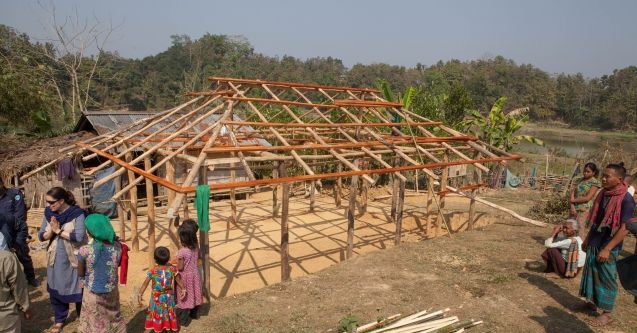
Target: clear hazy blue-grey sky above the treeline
[558, 36]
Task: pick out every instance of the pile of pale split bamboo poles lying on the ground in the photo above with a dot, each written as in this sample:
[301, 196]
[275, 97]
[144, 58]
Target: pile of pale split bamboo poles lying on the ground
[423, 321]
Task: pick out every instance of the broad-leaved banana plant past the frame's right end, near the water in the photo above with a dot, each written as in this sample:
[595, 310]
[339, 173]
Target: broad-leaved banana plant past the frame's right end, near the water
[497, 128]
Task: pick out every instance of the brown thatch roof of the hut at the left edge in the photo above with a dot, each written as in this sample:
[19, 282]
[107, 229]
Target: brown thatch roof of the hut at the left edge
[21, 154]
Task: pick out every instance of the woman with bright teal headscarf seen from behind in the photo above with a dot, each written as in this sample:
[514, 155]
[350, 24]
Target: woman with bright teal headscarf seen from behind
[98, 264]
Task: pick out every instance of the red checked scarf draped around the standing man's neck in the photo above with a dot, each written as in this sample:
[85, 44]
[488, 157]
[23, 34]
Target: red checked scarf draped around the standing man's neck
[612, 214]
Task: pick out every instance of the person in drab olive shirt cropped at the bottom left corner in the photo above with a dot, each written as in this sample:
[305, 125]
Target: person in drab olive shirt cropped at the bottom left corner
[14, 296]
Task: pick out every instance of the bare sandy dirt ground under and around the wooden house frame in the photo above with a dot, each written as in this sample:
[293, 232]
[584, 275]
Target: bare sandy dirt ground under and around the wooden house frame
[490, 274]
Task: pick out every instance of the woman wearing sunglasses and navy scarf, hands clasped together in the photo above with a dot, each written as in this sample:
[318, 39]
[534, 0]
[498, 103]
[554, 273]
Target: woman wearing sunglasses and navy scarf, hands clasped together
[63, 229]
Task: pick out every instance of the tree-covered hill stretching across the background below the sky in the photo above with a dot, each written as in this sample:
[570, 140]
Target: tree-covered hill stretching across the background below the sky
[42, 89]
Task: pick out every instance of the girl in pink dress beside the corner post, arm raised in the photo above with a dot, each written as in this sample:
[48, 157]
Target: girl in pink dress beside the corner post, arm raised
[187, 256]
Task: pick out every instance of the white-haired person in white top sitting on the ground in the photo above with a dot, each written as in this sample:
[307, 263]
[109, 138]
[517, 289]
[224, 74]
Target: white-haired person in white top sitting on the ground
[564, 256]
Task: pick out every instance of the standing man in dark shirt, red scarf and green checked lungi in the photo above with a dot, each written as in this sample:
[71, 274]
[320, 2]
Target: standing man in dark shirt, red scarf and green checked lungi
[612, 209]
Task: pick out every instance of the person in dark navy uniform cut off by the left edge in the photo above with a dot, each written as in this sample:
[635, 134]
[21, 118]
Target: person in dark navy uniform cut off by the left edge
[12, 203]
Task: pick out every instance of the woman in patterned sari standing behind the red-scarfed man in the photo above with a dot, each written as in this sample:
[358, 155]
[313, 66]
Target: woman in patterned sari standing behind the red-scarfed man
[583, 194]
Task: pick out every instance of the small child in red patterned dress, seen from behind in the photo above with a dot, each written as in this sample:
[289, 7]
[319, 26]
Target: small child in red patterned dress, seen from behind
[161, 310]
